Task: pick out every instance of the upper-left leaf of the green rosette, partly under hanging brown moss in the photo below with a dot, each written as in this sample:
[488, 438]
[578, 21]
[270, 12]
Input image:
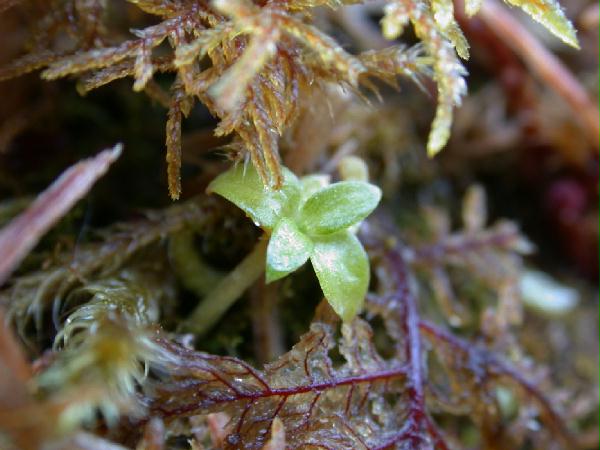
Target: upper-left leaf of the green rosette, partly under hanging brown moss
[242, 185]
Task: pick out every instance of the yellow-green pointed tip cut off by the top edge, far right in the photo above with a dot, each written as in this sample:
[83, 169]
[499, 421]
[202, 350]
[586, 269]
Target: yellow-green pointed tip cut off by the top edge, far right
[550, 14]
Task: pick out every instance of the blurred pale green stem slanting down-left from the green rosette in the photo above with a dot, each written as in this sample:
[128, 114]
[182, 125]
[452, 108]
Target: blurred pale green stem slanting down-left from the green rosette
[227, 291]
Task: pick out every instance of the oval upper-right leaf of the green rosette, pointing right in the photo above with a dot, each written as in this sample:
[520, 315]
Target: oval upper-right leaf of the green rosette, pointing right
[338, 206]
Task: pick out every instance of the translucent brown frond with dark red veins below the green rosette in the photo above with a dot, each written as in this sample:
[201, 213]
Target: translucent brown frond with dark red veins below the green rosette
[318, 404]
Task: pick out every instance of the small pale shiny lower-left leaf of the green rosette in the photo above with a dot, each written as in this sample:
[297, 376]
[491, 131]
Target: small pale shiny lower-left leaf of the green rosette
[288, 249]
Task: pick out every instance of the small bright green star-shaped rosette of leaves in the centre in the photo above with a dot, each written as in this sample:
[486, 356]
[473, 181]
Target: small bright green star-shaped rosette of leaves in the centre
[309, 219]
